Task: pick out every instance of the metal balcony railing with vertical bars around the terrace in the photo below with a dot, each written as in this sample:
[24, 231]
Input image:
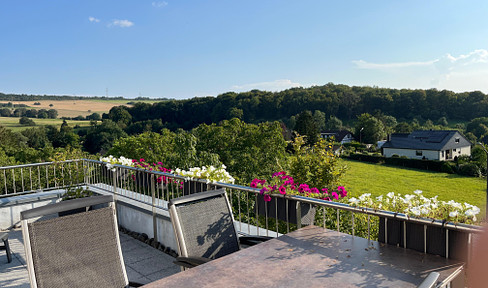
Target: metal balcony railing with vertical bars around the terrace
[157, 188]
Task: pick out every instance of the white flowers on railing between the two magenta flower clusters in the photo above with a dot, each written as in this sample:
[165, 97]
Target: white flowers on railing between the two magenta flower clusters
[211, 174]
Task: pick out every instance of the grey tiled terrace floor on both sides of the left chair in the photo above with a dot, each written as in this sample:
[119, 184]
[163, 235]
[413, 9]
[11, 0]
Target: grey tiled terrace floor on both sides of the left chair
[143, 263]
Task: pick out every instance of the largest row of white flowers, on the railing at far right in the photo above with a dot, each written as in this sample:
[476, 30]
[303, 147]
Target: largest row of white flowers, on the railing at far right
[416, 205]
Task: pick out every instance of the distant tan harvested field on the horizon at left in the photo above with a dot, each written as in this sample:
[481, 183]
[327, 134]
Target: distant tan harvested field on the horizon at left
[73, 108]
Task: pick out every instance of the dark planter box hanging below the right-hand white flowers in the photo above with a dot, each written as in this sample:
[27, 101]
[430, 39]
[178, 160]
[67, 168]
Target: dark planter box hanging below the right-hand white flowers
[436, 238]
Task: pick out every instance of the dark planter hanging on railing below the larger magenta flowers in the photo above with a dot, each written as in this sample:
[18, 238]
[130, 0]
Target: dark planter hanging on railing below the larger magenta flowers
[307, 212]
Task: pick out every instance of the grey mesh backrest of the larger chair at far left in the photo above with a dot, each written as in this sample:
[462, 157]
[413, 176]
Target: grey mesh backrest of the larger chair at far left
[79, 250]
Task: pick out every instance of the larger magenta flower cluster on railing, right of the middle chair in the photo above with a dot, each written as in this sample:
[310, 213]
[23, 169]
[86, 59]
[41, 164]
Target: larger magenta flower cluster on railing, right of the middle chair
[283, 184]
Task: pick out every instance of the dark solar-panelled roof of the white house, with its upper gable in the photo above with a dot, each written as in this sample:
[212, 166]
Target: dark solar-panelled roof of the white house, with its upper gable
[428, 140]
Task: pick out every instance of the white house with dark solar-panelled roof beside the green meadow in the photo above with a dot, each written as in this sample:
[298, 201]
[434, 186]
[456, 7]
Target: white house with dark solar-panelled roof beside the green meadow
[443, 145]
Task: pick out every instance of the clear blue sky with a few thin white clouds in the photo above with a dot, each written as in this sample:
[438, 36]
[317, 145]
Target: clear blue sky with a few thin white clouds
[182, 49]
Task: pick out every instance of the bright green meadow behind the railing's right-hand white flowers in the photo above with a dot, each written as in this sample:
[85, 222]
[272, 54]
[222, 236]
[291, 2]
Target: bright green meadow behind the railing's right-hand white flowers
[380, 179]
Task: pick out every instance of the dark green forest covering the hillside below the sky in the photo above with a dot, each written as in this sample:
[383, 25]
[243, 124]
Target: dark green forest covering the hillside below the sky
[341, 101]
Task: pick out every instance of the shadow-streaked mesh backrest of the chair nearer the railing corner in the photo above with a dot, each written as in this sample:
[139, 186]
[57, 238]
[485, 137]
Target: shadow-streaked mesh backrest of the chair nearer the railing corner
[204, 225]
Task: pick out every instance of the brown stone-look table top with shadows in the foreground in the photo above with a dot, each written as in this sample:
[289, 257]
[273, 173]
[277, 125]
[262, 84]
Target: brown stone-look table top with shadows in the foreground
[315, 257]
